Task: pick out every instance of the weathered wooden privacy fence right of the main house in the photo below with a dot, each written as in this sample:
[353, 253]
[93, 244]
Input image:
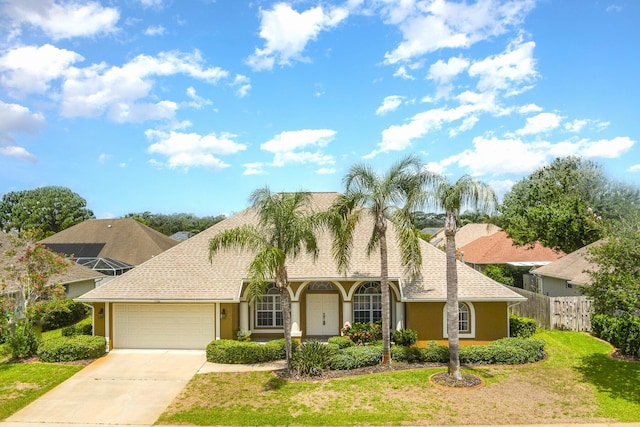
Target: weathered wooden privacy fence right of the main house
[565, 313]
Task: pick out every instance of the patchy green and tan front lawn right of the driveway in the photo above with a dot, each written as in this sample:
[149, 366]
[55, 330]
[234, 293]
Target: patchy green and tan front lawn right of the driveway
[578, 383]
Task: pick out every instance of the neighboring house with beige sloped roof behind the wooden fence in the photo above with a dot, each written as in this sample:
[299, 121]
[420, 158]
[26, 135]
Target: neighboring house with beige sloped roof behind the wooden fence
[565, 277]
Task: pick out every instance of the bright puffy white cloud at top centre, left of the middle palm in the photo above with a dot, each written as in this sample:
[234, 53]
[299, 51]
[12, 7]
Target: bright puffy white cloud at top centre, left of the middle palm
[286, 33]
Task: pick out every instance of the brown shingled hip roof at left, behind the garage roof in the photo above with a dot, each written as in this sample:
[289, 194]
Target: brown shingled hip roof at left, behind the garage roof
[125, 240]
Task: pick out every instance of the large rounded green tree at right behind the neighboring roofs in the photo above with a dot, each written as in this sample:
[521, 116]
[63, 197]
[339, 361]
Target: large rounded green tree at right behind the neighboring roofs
[564, 204]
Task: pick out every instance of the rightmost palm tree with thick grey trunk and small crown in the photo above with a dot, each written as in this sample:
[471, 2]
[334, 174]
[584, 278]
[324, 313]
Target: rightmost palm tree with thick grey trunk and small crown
[466, 192]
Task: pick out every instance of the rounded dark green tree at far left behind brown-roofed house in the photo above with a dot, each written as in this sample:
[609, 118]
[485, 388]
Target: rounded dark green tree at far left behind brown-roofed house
[45, 210]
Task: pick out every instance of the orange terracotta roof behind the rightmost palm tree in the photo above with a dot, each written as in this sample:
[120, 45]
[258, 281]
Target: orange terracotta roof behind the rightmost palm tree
[498, 248]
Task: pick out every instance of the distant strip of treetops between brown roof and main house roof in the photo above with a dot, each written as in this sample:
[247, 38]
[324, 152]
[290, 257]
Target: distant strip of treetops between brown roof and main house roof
[173, 223]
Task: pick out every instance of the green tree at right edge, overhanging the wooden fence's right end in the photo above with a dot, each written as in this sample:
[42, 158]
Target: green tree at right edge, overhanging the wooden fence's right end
[615, 287]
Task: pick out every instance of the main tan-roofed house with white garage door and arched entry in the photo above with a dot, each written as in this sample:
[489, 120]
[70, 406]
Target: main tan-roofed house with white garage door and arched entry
[181, 299]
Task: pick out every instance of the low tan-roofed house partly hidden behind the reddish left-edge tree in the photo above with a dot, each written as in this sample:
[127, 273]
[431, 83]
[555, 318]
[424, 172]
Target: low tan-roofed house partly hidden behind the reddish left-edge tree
[77, 279]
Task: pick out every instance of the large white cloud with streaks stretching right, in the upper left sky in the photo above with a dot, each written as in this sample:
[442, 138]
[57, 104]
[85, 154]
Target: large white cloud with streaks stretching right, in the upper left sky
[94, 90]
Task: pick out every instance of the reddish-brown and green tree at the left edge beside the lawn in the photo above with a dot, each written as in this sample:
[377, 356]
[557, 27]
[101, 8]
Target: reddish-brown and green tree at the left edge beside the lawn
[26, 282]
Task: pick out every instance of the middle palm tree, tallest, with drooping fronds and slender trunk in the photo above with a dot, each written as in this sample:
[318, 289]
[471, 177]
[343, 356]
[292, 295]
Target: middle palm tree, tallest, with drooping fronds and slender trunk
[380, 197]
